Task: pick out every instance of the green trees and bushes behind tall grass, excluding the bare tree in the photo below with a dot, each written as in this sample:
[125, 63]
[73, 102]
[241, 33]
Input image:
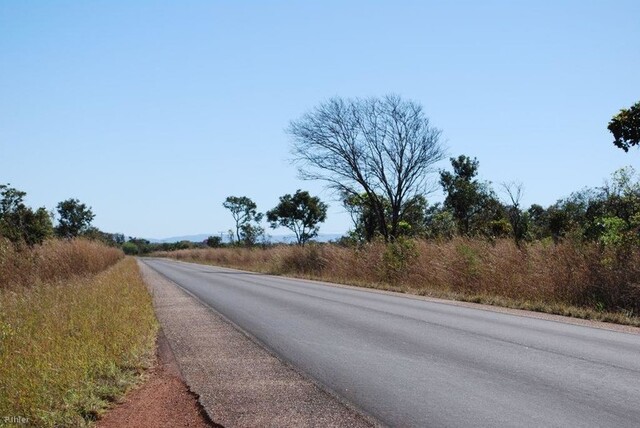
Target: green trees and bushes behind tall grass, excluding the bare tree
[472, 208]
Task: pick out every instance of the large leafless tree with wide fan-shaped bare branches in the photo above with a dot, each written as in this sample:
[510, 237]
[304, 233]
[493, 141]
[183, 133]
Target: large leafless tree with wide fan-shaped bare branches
[383, 147]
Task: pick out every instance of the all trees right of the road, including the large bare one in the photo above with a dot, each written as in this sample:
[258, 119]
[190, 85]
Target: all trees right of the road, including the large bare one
[378, 154]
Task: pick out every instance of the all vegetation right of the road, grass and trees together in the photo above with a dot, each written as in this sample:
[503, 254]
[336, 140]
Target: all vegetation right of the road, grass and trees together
[579, 256]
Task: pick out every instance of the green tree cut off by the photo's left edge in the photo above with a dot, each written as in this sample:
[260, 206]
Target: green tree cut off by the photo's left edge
[19, 223]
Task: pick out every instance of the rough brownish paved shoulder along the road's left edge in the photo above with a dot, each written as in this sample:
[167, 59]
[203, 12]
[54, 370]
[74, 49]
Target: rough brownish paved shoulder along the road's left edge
[239, 383]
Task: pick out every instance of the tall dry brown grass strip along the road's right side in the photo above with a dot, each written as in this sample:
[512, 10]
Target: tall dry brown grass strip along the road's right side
[584, 280]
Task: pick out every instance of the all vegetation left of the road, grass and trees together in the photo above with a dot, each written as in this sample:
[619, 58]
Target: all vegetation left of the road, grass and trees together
[76, 322]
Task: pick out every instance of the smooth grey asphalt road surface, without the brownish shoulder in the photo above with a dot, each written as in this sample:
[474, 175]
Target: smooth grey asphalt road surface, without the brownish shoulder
[410, 362]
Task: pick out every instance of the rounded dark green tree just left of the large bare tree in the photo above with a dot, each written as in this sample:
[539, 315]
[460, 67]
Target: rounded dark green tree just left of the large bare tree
[301, 213]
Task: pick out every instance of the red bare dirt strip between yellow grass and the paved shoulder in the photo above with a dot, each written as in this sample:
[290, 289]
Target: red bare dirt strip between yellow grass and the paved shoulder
[163, 400]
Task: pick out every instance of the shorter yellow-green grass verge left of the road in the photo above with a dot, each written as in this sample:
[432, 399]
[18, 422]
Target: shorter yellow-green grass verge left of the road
[69, 347]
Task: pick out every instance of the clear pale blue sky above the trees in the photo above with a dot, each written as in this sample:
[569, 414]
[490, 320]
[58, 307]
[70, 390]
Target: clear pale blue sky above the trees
[153, 112]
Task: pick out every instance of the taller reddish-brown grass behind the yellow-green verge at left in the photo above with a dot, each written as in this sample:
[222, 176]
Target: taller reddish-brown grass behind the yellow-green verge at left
[53, 261]
